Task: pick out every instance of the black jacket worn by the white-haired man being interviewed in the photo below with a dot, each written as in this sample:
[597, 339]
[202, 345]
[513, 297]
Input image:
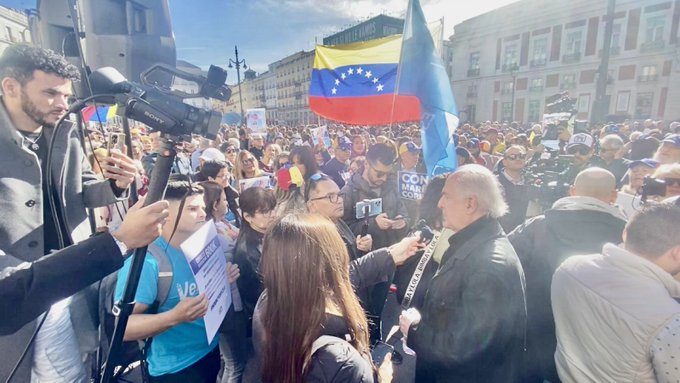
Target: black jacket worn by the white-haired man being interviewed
[474, 316]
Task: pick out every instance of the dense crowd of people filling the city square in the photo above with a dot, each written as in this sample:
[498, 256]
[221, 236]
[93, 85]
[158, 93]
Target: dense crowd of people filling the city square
[552, 253]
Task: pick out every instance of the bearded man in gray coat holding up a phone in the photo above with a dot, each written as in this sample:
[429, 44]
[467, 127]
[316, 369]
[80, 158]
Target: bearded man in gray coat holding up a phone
[36, 85]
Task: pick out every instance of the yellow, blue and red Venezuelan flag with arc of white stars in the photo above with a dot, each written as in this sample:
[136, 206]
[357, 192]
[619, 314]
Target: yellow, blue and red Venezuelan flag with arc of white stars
[355, 83]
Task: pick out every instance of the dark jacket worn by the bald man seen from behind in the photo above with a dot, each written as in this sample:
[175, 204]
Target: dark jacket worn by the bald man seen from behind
[542, 244]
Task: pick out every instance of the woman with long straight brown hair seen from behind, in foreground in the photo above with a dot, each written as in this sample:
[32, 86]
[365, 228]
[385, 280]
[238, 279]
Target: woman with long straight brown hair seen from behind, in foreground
[305, 267]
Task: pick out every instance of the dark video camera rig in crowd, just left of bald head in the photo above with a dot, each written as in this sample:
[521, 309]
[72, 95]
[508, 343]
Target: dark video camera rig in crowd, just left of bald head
[547, 178]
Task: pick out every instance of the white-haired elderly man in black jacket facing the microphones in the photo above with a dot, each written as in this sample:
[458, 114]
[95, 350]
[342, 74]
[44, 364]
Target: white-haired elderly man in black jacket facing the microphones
[473, 321]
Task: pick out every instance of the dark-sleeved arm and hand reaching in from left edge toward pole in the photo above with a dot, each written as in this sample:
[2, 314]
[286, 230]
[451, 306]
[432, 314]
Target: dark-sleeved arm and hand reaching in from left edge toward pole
[29, 289]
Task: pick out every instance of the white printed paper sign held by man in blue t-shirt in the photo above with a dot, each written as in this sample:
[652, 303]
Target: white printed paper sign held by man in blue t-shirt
[209, 266]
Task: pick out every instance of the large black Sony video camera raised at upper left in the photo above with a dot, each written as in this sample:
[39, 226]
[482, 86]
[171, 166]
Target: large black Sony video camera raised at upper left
[160, 107]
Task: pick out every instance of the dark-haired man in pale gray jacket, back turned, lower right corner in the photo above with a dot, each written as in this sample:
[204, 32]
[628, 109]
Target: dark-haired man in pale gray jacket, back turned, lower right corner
[616, 313]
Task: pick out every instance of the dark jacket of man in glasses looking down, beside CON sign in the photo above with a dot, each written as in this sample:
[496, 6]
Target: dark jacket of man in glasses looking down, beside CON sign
[357, 190]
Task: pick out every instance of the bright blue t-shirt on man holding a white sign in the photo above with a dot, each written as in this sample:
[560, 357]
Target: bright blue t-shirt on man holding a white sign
[185, 344]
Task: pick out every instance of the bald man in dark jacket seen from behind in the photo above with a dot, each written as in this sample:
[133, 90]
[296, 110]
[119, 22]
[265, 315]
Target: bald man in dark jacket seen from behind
[579, 224]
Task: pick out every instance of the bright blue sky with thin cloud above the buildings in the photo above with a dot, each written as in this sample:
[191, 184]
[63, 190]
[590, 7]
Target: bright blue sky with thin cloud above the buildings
[268, 30]
